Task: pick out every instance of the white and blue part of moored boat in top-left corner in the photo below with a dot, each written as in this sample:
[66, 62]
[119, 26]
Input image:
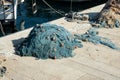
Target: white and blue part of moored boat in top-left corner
[8, 10]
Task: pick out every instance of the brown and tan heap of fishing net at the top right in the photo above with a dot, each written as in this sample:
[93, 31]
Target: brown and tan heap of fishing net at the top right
[109, 16]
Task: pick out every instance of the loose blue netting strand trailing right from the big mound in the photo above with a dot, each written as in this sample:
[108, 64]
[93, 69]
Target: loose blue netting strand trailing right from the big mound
[92, 36]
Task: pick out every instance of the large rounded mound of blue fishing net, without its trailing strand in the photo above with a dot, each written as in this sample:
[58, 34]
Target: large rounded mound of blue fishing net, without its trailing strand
[49, 41]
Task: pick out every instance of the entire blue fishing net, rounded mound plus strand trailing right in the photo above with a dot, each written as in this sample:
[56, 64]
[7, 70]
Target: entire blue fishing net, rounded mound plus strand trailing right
[52, 41]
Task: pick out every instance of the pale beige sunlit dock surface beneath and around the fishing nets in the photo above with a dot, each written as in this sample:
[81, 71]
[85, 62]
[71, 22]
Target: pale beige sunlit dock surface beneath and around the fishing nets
[92, 62]
